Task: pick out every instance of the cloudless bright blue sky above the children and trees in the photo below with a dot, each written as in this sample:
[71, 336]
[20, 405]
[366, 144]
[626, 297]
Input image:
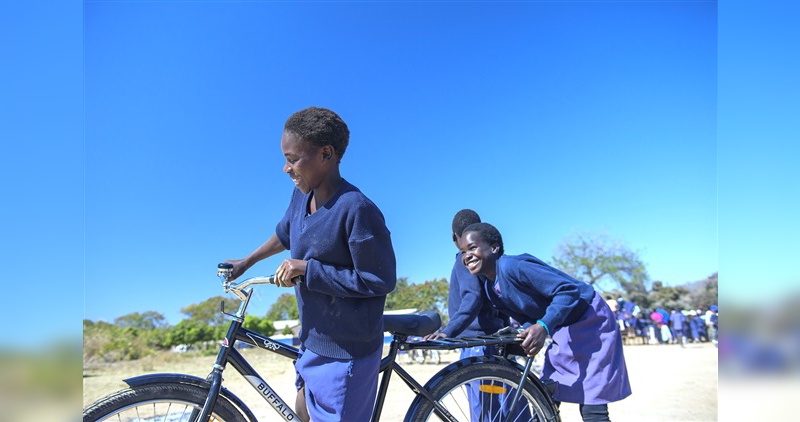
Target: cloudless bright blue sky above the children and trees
[545, 117]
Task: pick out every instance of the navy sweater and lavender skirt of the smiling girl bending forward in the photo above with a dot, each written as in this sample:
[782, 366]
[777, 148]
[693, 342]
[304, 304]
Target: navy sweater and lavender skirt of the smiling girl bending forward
[585, 358]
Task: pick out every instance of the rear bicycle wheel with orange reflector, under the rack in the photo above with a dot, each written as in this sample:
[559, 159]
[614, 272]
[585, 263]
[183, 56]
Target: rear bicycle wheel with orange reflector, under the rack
[496, 377]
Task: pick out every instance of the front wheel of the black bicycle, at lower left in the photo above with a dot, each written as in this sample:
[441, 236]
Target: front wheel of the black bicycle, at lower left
[172, 402]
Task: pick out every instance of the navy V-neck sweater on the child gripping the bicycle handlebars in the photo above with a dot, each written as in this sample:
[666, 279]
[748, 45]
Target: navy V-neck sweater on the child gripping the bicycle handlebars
[350, 270]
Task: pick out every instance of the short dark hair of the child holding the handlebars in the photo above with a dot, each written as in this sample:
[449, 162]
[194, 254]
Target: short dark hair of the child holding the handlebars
[320, 127]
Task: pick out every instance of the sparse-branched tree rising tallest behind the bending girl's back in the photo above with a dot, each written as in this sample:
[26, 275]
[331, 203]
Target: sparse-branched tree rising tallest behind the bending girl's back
[595, 259]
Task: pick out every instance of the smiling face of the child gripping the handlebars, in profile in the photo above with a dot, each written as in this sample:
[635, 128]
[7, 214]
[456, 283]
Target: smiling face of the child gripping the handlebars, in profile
[306, 164]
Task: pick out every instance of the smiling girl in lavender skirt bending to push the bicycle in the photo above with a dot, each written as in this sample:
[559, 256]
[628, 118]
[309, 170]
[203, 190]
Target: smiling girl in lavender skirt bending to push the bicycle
[585, 358]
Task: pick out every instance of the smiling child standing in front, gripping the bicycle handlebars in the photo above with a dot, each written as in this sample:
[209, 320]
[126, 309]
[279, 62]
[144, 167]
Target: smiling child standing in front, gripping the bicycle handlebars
[340, 243]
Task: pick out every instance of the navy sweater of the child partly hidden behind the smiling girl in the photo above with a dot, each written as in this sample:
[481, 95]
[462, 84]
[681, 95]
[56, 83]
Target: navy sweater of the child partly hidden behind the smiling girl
[471, 314]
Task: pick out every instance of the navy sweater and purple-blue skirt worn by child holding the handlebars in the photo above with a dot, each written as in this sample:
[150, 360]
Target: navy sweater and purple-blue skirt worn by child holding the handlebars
[350, 270]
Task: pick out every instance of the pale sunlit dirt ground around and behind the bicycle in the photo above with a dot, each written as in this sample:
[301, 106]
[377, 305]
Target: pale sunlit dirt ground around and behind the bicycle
[669, 383]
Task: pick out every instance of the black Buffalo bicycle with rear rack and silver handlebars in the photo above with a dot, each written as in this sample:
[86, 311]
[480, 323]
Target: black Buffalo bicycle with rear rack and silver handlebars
[501, 389]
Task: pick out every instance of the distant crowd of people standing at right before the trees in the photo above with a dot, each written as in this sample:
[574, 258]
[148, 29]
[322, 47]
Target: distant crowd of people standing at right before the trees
[659, 326]
